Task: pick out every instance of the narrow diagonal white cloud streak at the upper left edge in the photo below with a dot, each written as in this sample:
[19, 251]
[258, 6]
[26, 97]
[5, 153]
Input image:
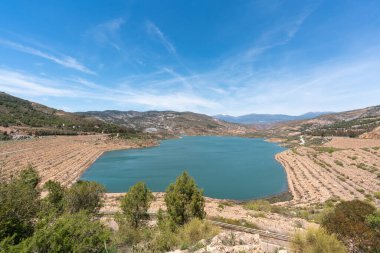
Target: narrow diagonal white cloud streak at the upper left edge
[63, 60]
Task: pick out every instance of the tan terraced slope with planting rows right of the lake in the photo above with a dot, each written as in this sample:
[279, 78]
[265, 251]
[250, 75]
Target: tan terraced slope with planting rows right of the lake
[315, 175]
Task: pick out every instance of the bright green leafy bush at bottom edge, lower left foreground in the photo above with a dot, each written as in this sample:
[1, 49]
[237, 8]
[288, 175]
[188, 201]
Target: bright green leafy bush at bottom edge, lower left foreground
[76, 232]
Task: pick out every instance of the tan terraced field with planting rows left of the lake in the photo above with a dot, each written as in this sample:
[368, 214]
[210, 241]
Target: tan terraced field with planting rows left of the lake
[62, 158]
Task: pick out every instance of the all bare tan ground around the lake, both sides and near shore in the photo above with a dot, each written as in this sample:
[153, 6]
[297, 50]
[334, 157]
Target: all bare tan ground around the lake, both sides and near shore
[342, 168]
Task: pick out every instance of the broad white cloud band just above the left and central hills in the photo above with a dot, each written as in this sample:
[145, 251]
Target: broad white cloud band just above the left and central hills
[127, 97]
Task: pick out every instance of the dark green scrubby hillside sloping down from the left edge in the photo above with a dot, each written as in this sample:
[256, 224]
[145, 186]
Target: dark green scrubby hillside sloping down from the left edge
[27, 117]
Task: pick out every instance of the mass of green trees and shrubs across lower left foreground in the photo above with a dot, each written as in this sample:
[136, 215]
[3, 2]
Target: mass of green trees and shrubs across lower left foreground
[66, 219]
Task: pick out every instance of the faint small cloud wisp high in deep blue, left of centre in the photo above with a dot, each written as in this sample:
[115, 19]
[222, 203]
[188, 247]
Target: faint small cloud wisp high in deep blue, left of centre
[107, 32]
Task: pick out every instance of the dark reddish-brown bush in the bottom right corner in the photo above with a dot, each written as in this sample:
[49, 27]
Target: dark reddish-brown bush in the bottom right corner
[348, 222]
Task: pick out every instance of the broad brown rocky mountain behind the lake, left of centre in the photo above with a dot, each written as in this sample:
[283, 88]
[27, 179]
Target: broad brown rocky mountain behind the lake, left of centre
[171, 122]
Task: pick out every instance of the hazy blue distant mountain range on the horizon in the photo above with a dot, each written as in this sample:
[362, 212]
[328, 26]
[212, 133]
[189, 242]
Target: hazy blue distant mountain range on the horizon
[267, 118]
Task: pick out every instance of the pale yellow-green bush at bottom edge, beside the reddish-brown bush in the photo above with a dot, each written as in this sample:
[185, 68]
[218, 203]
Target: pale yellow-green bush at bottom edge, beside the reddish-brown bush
[316, 240]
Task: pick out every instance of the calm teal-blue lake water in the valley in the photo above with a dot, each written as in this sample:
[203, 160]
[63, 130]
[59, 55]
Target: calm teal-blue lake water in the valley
[225, 167]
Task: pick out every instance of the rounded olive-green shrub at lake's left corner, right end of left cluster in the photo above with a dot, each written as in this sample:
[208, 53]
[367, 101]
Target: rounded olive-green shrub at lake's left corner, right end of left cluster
[84, 195]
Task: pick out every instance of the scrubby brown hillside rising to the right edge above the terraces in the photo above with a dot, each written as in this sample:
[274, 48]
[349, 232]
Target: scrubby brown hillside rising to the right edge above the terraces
[361, 122]
